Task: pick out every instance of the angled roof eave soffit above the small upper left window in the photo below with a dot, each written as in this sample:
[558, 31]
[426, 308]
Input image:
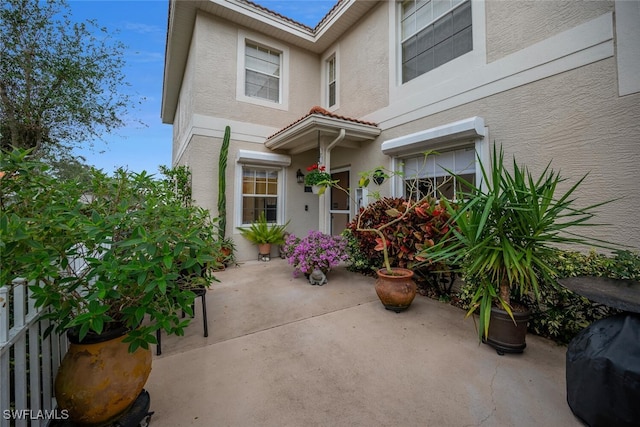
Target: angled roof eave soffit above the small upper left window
[182, 16]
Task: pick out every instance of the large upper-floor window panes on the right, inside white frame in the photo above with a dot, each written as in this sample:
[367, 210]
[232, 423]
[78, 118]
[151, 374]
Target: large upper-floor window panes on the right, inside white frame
[433, 32]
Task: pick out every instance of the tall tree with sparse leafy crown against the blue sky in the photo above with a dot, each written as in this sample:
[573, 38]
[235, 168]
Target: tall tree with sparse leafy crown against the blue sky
[60, 82]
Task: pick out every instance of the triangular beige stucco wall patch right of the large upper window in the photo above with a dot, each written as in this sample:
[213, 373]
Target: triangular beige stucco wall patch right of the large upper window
[512, 26]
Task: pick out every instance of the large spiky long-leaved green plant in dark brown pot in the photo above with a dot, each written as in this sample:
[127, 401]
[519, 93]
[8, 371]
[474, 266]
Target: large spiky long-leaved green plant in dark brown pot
[504, 233]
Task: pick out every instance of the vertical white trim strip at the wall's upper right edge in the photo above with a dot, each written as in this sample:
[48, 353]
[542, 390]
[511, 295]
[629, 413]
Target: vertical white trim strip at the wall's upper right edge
[628, 46]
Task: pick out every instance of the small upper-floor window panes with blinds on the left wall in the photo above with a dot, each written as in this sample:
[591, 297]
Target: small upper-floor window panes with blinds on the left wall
[262, 68]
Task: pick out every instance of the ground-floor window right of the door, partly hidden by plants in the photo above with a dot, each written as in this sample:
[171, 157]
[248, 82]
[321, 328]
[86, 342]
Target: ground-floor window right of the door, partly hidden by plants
[430, 177]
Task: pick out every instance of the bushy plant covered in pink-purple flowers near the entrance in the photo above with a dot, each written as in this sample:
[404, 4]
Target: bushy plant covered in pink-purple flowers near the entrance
[317, 251]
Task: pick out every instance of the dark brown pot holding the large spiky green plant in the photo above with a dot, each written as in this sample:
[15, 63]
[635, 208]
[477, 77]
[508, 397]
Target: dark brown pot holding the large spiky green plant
[505, 335]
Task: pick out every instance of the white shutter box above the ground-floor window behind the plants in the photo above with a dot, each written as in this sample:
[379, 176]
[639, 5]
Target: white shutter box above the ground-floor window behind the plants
[462, 130]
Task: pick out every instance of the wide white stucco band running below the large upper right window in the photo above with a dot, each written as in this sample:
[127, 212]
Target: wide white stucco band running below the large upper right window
[584, 44]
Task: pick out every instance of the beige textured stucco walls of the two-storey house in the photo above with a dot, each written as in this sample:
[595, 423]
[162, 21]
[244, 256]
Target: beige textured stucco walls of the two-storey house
[574, 119]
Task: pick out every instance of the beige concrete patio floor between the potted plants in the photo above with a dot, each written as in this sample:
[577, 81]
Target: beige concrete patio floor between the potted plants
[281, 352]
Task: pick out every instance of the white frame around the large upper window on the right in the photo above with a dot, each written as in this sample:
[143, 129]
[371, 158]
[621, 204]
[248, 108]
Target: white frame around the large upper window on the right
[456, 68]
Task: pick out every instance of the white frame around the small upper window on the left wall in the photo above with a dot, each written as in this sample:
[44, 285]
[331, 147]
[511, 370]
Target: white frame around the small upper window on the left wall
[245, 37]
